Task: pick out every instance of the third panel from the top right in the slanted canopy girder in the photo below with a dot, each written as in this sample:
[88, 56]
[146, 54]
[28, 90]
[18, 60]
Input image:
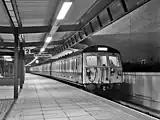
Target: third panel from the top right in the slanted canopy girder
[104, 17]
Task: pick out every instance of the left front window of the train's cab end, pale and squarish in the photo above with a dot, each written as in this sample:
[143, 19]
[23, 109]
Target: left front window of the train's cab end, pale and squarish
[91, 60]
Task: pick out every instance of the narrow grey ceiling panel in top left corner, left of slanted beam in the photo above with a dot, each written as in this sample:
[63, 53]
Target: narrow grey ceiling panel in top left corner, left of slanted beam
[4, 19]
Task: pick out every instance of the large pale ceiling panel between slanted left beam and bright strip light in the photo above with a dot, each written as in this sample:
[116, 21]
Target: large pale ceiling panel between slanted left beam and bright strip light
[38, 10]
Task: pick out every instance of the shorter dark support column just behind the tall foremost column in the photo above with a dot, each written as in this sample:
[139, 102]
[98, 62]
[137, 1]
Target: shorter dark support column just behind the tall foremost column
[21, 67]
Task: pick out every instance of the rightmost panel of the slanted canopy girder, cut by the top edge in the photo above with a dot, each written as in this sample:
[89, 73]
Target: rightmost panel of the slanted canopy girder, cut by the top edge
[131, 4]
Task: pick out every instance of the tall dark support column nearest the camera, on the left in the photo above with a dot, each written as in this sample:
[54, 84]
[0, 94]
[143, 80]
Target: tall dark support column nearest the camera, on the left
[16, 40]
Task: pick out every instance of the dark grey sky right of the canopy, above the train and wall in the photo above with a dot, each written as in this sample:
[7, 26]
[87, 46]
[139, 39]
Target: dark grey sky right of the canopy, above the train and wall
[135, 35]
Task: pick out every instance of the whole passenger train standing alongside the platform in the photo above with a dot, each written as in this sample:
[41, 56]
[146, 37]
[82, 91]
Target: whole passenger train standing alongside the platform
[94, 67]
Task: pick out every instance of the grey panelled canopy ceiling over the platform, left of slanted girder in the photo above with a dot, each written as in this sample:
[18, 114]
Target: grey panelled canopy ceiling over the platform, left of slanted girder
[36, 19]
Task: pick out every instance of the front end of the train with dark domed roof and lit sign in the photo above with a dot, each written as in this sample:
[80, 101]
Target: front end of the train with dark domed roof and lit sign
[102, 68]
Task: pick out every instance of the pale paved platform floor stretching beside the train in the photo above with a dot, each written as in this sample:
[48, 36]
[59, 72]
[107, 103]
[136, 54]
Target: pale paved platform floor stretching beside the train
[46, 99]
